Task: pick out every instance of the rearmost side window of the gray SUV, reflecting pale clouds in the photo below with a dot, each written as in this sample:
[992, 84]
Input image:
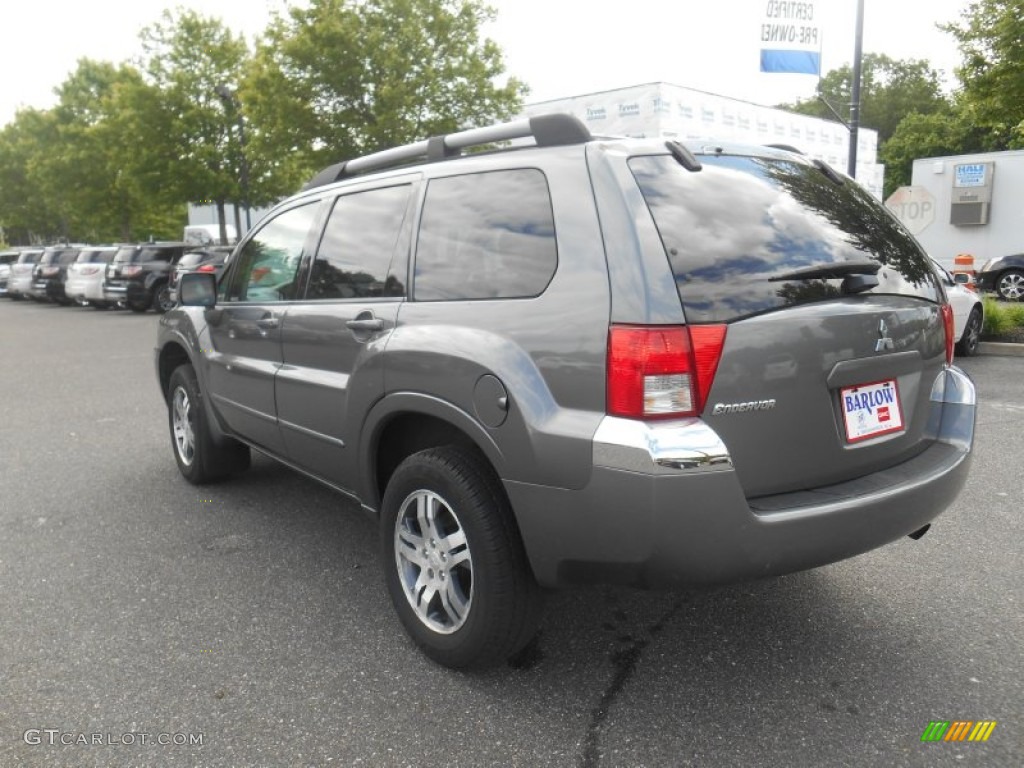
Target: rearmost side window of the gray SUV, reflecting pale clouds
[486, 236]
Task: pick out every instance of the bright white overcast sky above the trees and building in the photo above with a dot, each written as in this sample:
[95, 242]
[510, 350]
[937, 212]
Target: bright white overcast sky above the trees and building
[559, 48]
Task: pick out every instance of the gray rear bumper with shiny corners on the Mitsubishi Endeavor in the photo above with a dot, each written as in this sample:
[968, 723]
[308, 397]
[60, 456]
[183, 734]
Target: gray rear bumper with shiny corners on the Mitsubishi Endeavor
[673, 513]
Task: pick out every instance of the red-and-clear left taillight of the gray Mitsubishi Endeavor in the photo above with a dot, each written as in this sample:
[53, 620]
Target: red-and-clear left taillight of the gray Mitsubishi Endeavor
[658, 372]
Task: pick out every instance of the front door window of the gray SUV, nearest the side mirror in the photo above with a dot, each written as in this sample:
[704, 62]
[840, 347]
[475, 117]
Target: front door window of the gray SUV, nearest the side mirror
[269, 264]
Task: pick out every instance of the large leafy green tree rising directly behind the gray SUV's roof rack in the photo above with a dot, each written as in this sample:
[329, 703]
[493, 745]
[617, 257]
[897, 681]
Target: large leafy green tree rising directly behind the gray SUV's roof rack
[343, 78]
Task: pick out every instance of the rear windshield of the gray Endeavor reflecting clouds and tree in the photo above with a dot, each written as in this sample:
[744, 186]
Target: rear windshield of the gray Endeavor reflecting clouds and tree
[742, 222]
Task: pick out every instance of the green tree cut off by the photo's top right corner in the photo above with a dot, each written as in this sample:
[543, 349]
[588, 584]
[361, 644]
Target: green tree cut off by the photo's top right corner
[993, 71]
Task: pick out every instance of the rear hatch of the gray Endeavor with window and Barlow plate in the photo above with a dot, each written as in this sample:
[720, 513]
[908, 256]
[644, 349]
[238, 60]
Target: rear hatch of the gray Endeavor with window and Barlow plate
[833, 316]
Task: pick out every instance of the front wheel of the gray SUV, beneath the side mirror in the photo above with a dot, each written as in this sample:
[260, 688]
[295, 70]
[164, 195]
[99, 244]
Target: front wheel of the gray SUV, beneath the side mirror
[200, 458]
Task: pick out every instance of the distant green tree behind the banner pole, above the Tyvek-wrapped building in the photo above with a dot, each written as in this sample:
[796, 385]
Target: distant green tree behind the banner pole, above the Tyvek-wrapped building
[891, 90]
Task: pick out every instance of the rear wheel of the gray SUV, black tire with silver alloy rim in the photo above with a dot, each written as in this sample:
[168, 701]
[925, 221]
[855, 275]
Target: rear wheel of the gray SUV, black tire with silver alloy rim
[493, 586]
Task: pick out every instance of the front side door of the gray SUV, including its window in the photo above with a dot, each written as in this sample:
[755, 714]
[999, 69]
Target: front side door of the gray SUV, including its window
[245, 327]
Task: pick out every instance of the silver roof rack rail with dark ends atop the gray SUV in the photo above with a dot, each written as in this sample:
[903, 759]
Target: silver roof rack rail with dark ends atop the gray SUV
[546, 131]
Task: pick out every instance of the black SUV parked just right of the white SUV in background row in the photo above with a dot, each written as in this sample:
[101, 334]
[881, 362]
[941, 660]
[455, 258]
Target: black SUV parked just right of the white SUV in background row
[139, 277]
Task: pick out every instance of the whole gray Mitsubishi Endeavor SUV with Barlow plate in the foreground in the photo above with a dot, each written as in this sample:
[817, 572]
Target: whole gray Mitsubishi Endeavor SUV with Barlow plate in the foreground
[579, 360]
